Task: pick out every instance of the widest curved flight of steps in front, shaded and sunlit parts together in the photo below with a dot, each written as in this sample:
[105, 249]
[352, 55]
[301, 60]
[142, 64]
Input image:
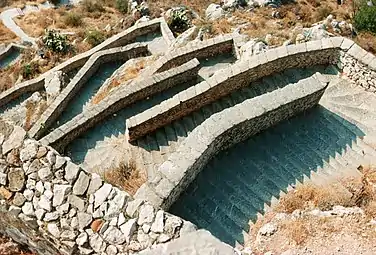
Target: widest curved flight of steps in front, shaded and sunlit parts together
[323, 145]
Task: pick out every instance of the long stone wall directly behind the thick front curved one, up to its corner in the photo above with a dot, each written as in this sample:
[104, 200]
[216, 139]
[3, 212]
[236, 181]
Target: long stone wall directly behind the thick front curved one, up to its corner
[230, 79]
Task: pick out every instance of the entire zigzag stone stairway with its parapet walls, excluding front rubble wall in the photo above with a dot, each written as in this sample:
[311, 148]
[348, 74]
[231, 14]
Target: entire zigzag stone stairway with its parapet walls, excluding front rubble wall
[219, 135]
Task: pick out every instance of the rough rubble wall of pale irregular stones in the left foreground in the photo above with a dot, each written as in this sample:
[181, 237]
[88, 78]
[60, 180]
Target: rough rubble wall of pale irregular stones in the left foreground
[55, 207]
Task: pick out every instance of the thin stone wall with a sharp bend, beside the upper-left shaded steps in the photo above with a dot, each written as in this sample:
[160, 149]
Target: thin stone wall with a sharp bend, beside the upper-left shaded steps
[90, 67]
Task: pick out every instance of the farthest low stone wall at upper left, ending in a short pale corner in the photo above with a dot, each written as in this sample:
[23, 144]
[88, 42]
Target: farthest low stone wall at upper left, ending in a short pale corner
[121, 39]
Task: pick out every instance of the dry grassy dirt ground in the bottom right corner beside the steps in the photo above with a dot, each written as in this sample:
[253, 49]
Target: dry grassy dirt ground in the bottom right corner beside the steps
[320, 220]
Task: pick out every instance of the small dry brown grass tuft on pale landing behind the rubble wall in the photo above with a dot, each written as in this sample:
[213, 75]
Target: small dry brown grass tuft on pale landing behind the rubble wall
[126, 177]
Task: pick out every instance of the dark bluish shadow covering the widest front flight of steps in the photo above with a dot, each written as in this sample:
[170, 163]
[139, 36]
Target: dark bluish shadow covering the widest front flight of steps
[235, 184]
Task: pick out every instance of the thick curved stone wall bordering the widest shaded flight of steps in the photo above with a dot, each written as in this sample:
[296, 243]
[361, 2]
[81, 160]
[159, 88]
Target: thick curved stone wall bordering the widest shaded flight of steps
[224, 129]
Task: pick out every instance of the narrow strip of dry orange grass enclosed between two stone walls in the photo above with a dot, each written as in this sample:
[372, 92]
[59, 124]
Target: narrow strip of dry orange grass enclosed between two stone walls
[129, 74]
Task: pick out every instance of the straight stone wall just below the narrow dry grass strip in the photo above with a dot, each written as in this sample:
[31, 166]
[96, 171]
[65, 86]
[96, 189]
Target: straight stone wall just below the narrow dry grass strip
[60, 137]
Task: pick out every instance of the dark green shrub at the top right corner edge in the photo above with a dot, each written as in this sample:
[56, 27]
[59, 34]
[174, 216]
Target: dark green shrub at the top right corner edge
[365, 19]
